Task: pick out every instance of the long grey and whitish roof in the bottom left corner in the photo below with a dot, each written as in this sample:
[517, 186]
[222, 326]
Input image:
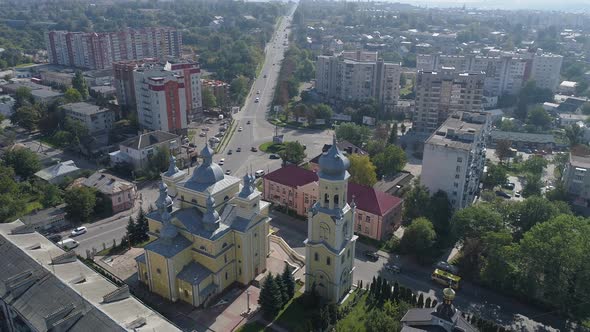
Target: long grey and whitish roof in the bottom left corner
[68, 283]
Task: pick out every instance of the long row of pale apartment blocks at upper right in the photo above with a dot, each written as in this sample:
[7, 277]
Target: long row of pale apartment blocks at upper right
[505, 72]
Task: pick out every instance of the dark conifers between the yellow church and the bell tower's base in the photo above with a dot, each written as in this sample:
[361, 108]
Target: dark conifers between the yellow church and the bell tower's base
[275, 292]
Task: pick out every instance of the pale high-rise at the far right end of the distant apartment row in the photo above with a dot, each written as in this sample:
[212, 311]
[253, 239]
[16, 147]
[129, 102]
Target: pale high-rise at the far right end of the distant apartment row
[546, 69]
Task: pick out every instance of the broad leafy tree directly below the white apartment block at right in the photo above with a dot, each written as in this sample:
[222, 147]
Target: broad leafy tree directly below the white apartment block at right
[475, 220]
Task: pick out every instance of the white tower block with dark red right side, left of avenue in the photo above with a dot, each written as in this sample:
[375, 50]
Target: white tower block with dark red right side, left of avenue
[161, 99]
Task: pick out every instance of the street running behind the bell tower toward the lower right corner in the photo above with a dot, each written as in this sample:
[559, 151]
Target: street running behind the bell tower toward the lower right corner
[470, 298]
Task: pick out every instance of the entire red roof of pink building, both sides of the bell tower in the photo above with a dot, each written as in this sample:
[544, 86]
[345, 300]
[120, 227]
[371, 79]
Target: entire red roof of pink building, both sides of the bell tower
[366, 198]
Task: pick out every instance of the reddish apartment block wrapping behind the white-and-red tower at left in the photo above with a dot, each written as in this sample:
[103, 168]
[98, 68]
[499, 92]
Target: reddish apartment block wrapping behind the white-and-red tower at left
[190, 71]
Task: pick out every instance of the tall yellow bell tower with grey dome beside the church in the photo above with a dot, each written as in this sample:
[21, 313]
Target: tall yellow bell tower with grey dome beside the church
[330, 244]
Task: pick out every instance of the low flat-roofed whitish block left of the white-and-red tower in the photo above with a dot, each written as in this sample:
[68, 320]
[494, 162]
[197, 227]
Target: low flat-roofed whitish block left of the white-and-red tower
[97, 120]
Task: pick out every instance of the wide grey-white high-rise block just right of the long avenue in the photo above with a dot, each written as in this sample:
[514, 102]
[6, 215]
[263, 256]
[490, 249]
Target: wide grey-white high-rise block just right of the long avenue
[358, 76]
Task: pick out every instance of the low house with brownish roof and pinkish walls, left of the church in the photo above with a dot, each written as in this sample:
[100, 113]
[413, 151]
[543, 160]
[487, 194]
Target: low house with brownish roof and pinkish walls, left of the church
[121, 193]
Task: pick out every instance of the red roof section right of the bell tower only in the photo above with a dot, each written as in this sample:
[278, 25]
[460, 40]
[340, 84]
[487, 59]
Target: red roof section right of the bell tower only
[371, 200]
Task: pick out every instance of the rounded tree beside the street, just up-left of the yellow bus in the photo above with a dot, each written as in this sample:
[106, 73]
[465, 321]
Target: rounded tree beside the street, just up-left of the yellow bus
[419, 238]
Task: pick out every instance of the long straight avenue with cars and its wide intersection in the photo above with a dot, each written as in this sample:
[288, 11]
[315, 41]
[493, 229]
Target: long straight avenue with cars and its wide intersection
[260, 130]
